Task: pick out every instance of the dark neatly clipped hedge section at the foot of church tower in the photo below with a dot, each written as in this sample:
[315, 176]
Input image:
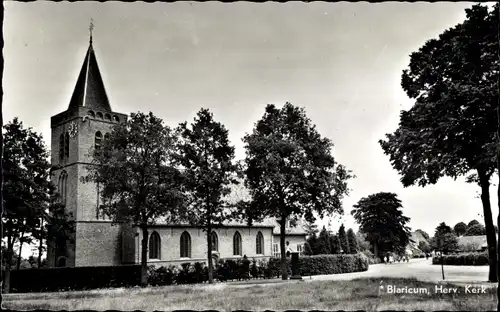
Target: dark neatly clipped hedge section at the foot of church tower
[78, 278]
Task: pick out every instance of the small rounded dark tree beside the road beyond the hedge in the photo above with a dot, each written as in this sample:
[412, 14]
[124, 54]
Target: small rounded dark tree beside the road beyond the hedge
[380, 217]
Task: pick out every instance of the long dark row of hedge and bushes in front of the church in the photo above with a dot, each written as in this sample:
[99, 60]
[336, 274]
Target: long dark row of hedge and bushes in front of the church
[84, 278]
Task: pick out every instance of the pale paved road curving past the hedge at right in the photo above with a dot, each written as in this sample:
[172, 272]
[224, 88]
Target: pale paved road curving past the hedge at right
[422, 269]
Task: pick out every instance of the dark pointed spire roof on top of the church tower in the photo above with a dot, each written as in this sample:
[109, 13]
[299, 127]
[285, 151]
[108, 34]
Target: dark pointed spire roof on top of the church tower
[89, 90]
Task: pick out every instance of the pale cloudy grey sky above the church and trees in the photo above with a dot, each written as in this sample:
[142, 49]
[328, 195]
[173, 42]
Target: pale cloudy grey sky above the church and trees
[341, 61]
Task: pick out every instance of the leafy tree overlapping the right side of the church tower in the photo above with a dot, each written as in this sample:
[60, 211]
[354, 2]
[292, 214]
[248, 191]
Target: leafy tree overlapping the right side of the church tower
[136, 170]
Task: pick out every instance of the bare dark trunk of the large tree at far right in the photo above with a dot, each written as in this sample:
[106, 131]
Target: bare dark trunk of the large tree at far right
[484, 182]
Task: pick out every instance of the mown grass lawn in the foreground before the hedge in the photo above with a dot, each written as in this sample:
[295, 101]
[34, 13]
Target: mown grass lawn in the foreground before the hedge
[360, 294]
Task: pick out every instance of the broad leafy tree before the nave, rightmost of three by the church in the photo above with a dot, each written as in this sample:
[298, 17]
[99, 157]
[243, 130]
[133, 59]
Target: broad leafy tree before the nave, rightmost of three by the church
[290, 170]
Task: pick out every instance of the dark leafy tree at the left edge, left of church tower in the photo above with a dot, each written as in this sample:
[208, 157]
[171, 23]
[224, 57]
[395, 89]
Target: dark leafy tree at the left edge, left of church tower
[26, 170]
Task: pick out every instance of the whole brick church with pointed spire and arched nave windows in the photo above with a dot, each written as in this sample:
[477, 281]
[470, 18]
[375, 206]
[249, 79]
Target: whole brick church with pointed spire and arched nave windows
[98, 242]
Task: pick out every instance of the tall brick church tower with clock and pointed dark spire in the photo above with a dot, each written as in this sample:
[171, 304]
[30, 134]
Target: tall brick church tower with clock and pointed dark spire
[75, 133]
